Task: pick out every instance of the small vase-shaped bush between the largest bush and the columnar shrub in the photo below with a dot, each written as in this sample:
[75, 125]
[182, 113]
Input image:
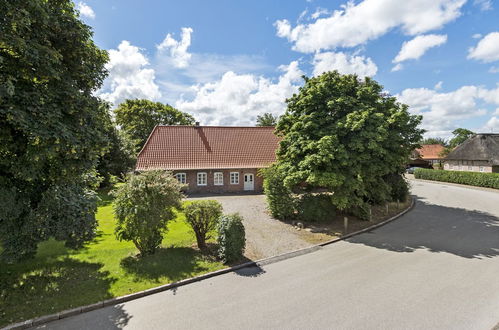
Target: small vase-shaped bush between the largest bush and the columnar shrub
[202, 216]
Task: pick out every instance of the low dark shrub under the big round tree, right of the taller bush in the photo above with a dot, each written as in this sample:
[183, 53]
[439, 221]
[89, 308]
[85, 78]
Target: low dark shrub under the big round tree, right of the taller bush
[316, 207]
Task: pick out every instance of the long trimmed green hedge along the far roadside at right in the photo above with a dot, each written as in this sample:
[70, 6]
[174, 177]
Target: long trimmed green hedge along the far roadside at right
[480, 179]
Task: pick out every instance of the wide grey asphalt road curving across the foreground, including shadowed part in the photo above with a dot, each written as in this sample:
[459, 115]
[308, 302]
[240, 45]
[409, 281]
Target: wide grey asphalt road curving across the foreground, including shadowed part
[437, 267]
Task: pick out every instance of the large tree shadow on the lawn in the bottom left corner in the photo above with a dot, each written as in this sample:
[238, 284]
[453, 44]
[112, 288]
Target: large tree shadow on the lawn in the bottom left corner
[35, 289]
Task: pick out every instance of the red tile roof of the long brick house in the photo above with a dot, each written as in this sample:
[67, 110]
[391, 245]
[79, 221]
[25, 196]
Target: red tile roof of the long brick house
[208, 147]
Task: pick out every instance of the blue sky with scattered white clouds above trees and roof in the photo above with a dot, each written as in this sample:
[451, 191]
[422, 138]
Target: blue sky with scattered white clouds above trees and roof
[226, 62]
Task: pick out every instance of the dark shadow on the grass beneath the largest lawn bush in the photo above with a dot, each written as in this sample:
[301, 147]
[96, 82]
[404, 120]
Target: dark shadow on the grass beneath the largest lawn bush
[176, 263]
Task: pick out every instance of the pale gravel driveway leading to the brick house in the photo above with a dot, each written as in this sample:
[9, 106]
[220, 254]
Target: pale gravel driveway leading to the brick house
[265, 236]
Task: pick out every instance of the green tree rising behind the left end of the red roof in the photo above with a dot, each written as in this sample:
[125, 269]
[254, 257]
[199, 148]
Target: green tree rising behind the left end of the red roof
[137, 118]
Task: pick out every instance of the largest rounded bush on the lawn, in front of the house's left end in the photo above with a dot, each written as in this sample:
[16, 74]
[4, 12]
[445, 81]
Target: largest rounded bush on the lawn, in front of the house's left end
[143, 207]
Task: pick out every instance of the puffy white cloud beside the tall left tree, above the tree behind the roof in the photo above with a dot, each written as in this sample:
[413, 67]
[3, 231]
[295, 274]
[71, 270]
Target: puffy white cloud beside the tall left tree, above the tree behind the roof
[129, 76]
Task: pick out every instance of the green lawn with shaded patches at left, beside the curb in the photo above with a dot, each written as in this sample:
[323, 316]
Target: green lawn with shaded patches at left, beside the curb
[60, 278]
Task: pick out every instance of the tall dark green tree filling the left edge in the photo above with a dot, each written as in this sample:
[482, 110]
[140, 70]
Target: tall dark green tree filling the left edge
[51, 125]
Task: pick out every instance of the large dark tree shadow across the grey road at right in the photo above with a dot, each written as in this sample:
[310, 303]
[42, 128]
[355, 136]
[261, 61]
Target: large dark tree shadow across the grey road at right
[465, 233]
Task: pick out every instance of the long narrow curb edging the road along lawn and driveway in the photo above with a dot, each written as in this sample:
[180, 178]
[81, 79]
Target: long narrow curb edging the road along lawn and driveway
[262, 262]
